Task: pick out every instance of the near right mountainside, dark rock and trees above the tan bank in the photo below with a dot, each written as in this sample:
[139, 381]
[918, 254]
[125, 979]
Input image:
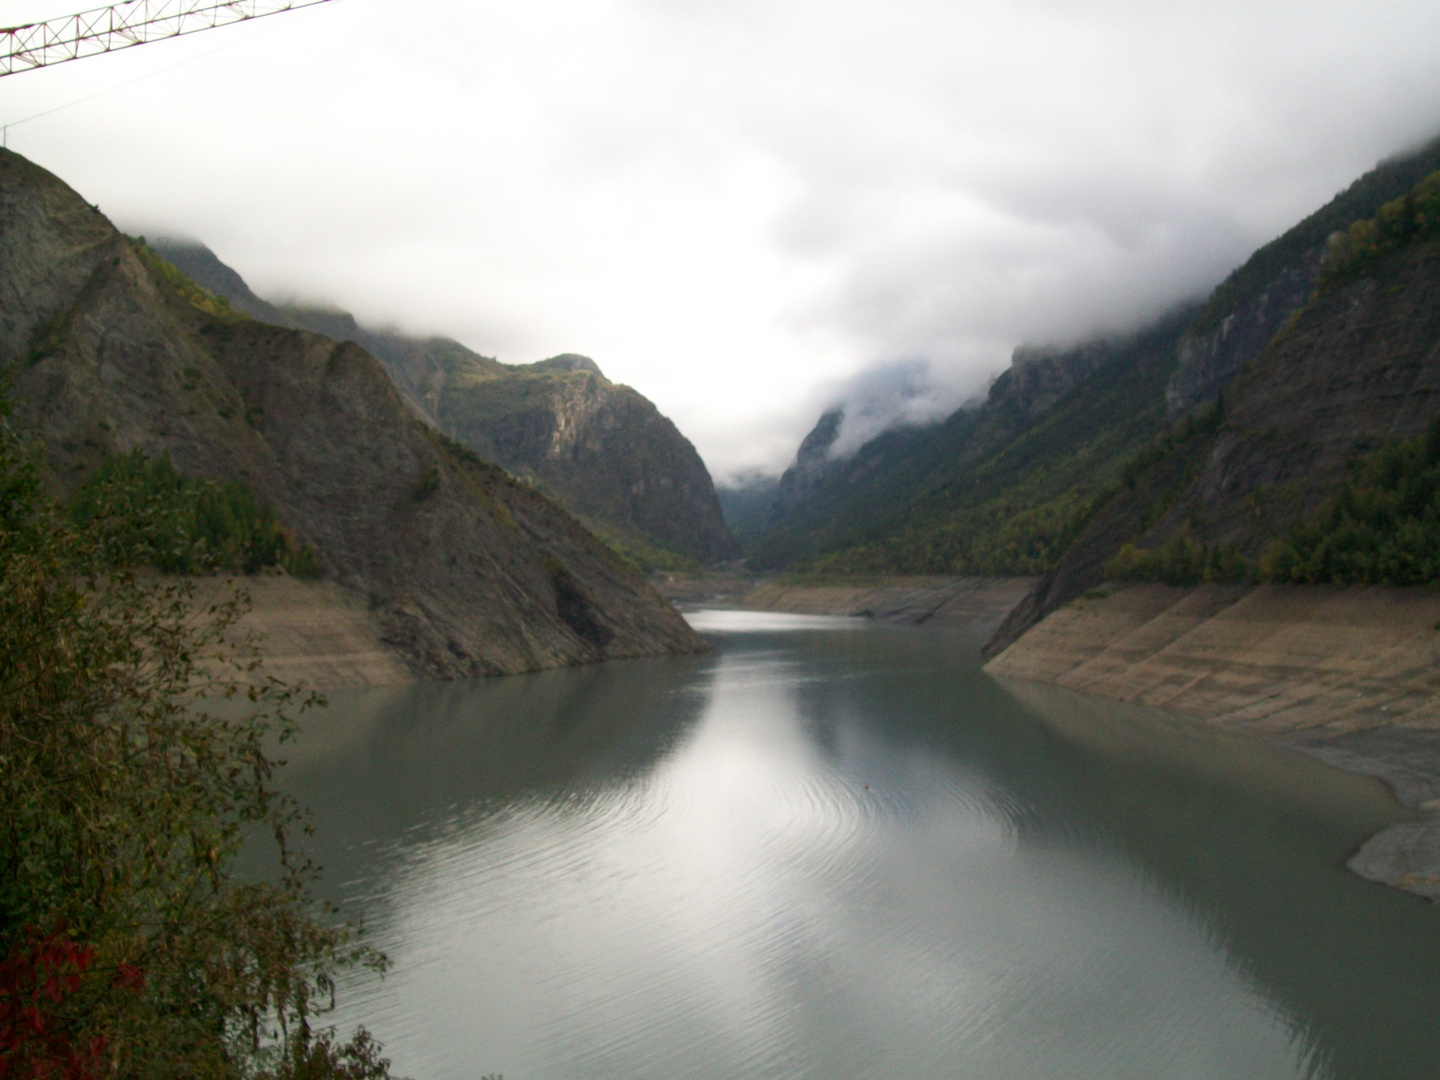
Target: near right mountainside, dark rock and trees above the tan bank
[1302, 472]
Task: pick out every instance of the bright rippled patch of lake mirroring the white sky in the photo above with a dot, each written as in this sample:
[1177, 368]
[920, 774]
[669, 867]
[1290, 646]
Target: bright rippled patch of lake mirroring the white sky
[786, 896]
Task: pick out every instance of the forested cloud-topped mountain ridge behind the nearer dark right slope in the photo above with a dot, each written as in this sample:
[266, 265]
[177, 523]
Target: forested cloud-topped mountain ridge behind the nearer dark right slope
[1009, 486]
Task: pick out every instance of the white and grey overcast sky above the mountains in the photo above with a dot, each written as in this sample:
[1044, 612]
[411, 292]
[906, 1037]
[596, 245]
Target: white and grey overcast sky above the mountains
[744, 208]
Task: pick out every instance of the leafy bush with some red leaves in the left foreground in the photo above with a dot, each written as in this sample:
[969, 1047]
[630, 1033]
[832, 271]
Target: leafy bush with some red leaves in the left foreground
[133, 767]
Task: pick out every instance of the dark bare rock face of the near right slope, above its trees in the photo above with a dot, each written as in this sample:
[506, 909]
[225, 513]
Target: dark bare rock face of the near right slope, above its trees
[1359, 368]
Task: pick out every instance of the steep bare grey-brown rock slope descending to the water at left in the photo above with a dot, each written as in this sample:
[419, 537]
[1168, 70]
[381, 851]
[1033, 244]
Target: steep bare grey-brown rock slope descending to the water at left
[469, 572]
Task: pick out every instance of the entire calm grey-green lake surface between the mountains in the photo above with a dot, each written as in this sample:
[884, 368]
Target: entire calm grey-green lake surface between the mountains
[839, 852]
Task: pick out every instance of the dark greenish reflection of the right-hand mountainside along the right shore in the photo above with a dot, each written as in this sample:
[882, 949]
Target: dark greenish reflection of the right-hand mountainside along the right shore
[1251, 839]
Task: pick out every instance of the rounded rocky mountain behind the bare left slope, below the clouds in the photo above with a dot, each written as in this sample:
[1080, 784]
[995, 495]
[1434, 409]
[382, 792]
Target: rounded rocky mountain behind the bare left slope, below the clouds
[600, 449]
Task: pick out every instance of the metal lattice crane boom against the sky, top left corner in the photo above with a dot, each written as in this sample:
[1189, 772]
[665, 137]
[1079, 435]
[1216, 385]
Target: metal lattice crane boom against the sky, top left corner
[120, 27]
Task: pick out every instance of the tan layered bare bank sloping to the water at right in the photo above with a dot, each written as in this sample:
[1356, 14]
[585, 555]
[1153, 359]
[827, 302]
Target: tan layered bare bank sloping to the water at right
[1347, 676]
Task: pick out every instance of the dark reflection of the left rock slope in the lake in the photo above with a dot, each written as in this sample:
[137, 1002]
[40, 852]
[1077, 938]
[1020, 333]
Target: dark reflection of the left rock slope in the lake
[430, 752]
